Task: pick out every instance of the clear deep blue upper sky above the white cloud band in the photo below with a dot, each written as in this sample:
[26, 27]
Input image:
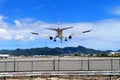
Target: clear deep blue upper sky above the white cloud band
[47, 10]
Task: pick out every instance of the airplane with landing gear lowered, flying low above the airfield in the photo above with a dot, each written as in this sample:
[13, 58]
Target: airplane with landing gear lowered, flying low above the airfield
[60, 33]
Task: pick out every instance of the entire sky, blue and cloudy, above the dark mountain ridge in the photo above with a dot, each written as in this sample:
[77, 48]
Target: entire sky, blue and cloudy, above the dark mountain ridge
[20, 17]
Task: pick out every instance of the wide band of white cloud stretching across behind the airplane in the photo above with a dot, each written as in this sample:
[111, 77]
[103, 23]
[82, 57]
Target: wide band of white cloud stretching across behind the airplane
[105, 34]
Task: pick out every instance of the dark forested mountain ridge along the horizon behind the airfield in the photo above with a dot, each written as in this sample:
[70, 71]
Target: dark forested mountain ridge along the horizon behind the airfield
[53, 51]
